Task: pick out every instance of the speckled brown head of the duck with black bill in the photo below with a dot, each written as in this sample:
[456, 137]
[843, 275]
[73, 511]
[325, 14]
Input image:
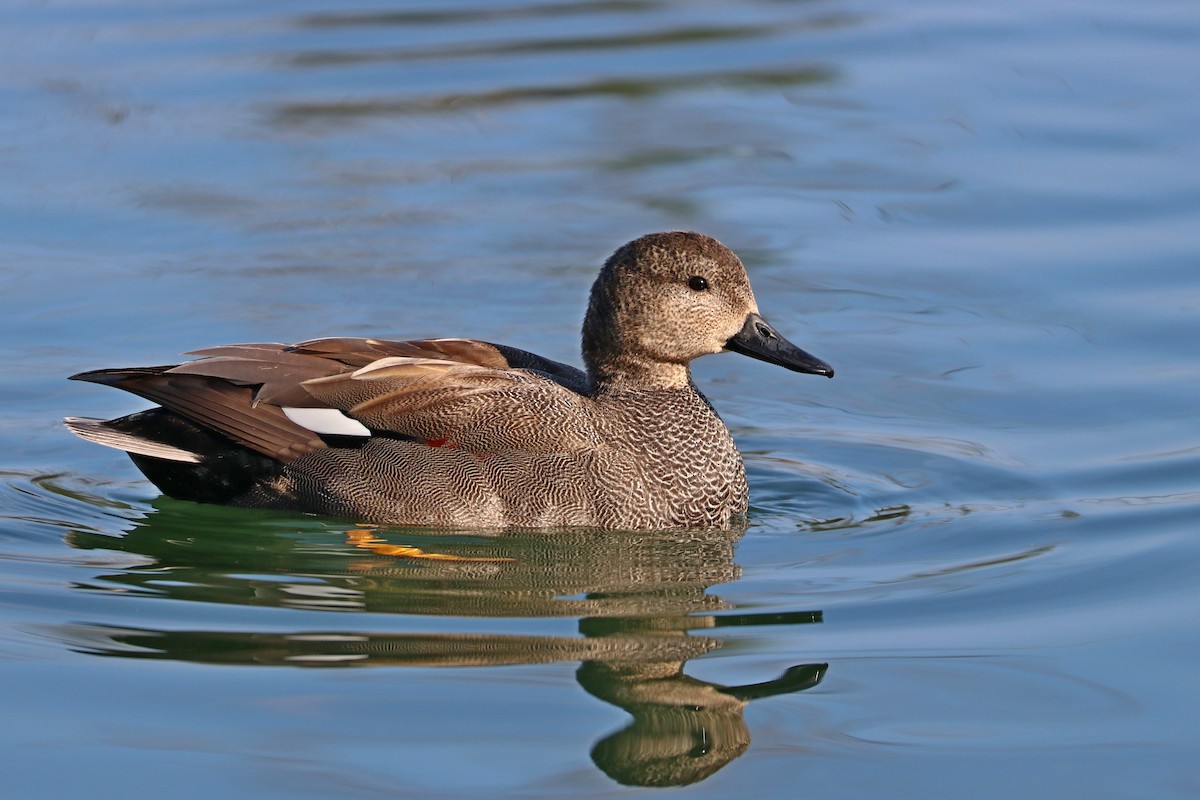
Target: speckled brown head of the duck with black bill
[665, 299]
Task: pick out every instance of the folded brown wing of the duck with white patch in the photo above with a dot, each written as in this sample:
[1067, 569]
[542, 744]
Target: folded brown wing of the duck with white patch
[284, 401]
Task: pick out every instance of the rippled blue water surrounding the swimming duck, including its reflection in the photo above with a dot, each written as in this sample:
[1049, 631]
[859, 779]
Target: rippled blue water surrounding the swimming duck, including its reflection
[971, 566]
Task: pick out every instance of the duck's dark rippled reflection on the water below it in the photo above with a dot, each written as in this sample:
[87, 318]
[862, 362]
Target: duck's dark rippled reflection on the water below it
[641, 599]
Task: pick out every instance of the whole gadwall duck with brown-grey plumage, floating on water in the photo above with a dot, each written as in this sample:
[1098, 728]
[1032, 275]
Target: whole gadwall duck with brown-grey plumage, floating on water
[466, 434]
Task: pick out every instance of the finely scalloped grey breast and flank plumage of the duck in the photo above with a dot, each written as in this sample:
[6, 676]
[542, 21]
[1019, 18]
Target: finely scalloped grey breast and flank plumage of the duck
[657, 460]
